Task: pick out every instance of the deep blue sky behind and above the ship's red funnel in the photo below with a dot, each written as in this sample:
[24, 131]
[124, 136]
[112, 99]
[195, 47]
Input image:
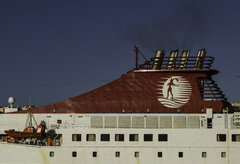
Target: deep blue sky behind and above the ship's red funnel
[52, 50]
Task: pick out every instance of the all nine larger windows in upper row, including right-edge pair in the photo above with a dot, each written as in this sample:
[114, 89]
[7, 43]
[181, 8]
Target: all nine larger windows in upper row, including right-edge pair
[146, 137]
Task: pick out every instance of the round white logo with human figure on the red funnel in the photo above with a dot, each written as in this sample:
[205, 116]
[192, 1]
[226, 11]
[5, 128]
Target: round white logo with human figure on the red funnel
[175, 91]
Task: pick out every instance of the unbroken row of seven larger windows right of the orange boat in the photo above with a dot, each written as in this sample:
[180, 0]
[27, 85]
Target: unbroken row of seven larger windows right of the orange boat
[120, 137]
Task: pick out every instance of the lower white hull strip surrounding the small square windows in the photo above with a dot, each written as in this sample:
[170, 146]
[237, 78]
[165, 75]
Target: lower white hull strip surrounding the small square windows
[15, 154]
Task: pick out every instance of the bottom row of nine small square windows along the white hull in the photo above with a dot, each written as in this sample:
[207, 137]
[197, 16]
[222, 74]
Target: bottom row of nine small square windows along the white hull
[136, 154]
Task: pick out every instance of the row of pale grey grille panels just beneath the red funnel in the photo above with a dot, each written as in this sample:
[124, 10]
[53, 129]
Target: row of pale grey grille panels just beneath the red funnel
[146, 121]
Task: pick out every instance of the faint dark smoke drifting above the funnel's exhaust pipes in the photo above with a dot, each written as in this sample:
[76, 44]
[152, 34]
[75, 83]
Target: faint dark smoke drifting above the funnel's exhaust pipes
[186, 24]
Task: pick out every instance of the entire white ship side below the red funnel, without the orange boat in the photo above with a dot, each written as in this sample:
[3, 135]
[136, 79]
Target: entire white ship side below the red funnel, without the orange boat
[128, 138]
